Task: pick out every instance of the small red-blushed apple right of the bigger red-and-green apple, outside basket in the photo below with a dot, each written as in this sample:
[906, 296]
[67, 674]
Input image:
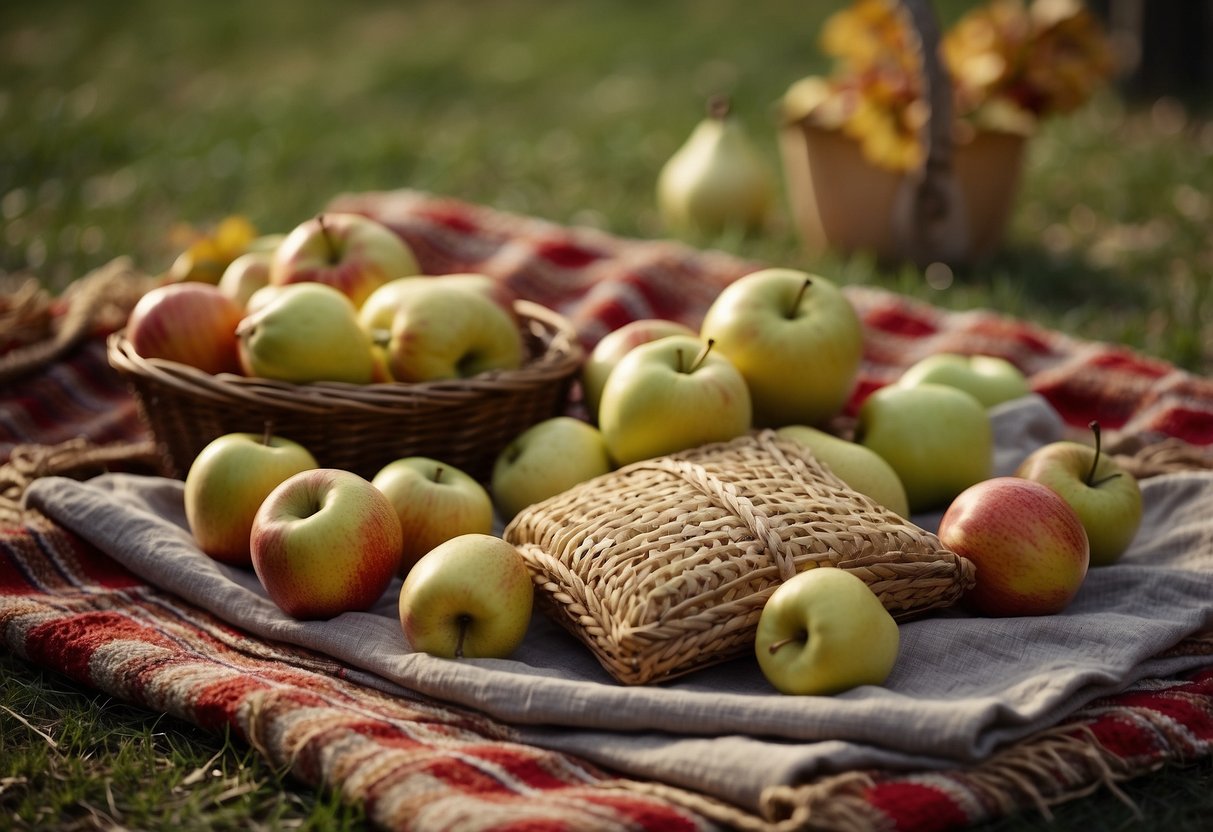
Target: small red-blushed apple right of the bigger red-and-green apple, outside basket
[435, 502]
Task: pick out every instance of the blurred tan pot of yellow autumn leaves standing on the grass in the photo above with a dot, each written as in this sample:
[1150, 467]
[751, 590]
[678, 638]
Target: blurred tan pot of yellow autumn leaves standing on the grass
[907, 106]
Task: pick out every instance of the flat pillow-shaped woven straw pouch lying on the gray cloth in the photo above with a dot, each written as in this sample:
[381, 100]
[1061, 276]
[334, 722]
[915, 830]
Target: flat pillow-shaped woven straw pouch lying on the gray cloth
[664, 567]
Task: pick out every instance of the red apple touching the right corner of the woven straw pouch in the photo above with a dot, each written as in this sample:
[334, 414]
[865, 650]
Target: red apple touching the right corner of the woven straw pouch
[1028, 545]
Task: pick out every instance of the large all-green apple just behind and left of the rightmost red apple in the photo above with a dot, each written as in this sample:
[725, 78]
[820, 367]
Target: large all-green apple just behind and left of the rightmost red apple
[937, 438]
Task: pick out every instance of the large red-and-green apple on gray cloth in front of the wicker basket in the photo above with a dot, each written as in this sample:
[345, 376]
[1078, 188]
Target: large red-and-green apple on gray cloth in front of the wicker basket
[326, 542]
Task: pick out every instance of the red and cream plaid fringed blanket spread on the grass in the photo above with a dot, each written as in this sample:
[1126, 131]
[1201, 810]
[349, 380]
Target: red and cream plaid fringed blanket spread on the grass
[418, 763]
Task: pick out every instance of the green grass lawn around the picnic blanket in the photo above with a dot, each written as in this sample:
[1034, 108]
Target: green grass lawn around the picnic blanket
[119, 121]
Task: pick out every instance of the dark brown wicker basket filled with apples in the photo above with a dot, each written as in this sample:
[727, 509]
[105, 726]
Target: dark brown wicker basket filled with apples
[361, 428]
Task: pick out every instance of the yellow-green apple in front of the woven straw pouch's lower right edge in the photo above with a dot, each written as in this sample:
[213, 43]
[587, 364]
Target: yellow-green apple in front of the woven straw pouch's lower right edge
[824, 631]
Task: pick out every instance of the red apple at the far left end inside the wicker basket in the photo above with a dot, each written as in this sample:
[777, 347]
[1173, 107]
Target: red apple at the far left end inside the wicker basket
[191, 323]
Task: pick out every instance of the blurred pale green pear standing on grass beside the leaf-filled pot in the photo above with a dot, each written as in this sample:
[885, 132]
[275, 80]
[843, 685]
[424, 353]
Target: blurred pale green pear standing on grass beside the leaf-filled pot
[717, 181]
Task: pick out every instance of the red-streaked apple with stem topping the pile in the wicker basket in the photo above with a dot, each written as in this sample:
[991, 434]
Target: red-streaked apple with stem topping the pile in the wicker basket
[348, 252]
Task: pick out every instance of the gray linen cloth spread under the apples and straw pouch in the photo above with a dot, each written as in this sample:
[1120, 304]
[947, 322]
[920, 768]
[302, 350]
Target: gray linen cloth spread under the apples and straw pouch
[963, 687]
